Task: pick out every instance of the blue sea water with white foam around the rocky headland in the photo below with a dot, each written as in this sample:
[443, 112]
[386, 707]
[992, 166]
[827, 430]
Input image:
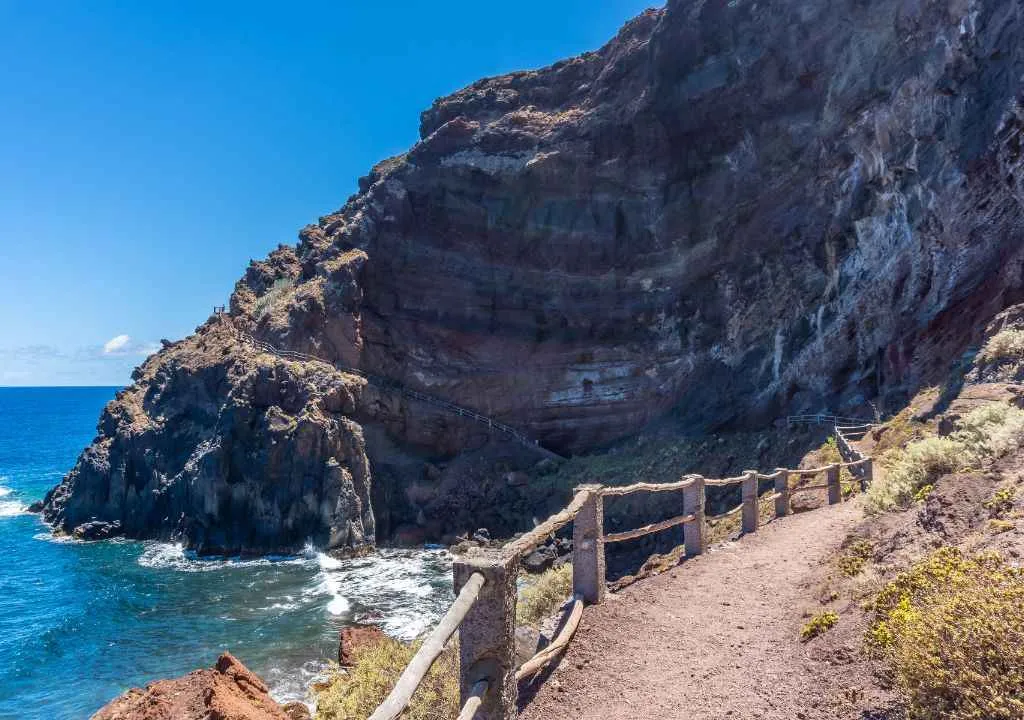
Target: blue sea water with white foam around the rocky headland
[82, 622]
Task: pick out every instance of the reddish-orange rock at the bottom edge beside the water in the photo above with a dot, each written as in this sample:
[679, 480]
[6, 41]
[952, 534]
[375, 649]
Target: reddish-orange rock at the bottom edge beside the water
[227, 692]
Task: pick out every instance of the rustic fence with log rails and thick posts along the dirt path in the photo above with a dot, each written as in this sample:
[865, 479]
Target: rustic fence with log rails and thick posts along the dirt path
[484, 612]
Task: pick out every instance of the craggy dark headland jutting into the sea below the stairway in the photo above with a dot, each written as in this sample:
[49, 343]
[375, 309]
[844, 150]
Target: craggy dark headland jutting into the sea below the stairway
[228, 451]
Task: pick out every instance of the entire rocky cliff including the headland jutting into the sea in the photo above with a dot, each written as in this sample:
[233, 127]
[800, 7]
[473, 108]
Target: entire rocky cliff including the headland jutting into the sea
[732, 211]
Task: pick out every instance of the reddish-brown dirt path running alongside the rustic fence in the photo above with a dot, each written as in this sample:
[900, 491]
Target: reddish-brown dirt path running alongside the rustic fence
[718, 638]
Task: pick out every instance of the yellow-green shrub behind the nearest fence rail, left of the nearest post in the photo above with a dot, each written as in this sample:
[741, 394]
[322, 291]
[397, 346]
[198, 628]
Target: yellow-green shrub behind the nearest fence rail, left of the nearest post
[354, 695]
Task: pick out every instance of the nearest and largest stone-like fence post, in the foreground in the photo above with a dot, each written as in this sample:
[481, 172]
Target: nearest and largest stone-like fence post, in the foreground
[487, 637]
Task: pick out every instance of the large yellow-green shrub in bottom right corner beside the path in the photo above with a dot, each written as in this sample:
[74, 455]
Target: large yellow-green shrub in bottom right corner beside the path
[952, 631]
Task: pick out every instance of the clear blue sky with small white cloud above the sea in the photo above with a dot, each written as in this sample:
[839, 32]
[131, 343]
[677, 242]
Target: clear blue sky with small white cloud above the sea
[149, 150]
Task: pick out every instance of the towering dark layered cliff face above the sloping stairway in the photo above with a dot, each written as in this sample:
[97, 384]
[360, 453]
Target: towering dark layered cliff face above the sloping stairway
[733, 210]
